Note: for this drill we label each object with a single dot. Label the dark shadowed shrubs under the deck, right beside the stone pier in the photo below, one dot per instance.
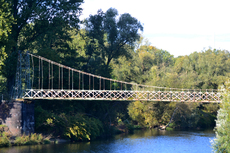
(79, 120)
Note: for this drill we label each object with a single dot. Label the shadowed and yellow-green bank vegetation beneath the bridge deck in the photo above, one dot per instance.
(79, 121)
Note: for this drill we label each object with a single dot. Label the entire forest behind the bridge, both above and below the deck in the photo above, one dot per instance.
(110, 45)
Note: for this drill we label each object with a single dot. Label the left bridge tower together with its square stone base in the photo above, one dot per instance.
(18, 114)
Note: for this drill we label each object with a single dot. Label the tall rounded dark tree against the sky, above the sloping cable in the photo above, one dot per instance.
(111, 36)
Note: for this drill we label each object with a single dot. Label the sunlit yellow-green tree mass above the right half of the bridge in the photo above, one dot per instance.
(152, 66)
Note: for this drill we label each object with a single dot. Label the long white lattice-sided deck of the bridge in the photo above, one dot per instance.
(124, 95)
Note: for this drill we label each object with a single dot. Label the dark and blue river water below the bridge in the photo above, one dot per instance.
(142, 141)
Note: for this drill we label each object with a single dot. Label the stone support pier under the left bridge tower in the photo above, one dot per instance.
(18, 116)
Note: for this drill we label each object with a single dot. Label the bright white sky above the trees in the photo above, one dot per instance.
(177, 26)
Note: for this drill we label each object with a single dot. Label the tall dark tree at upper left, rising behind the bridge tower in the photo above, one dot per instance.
(40, 26)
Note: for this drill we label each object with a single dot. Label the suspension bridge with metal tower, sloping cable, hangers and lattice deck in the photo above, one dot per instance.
(40, 78)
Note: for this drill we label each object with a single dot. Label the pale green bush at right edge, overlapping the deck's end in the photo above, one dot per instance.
(222, 141)
